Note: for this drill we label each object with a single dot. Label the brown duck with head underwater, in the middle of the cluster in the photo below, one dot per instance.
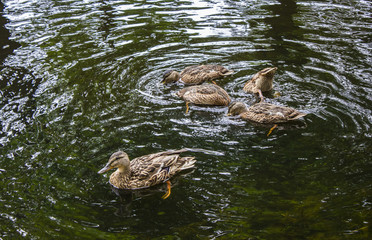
(206, 94)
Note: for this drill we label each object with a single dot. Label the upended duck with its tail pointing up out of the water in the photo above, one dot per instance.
(261, 82)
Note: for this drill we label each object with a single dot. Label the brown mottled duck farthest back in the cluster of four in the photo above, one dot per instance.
(196, 74)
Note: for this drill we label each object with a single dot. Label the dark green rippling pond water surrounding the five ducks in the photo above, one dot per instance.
(80, 80)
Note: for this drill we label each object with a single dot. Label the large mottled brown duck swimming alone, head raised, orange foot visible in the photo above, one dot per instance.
(148, 170)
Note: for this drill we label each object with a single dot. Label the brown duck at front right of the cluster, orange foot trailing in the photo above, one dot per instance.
(264, 113)
